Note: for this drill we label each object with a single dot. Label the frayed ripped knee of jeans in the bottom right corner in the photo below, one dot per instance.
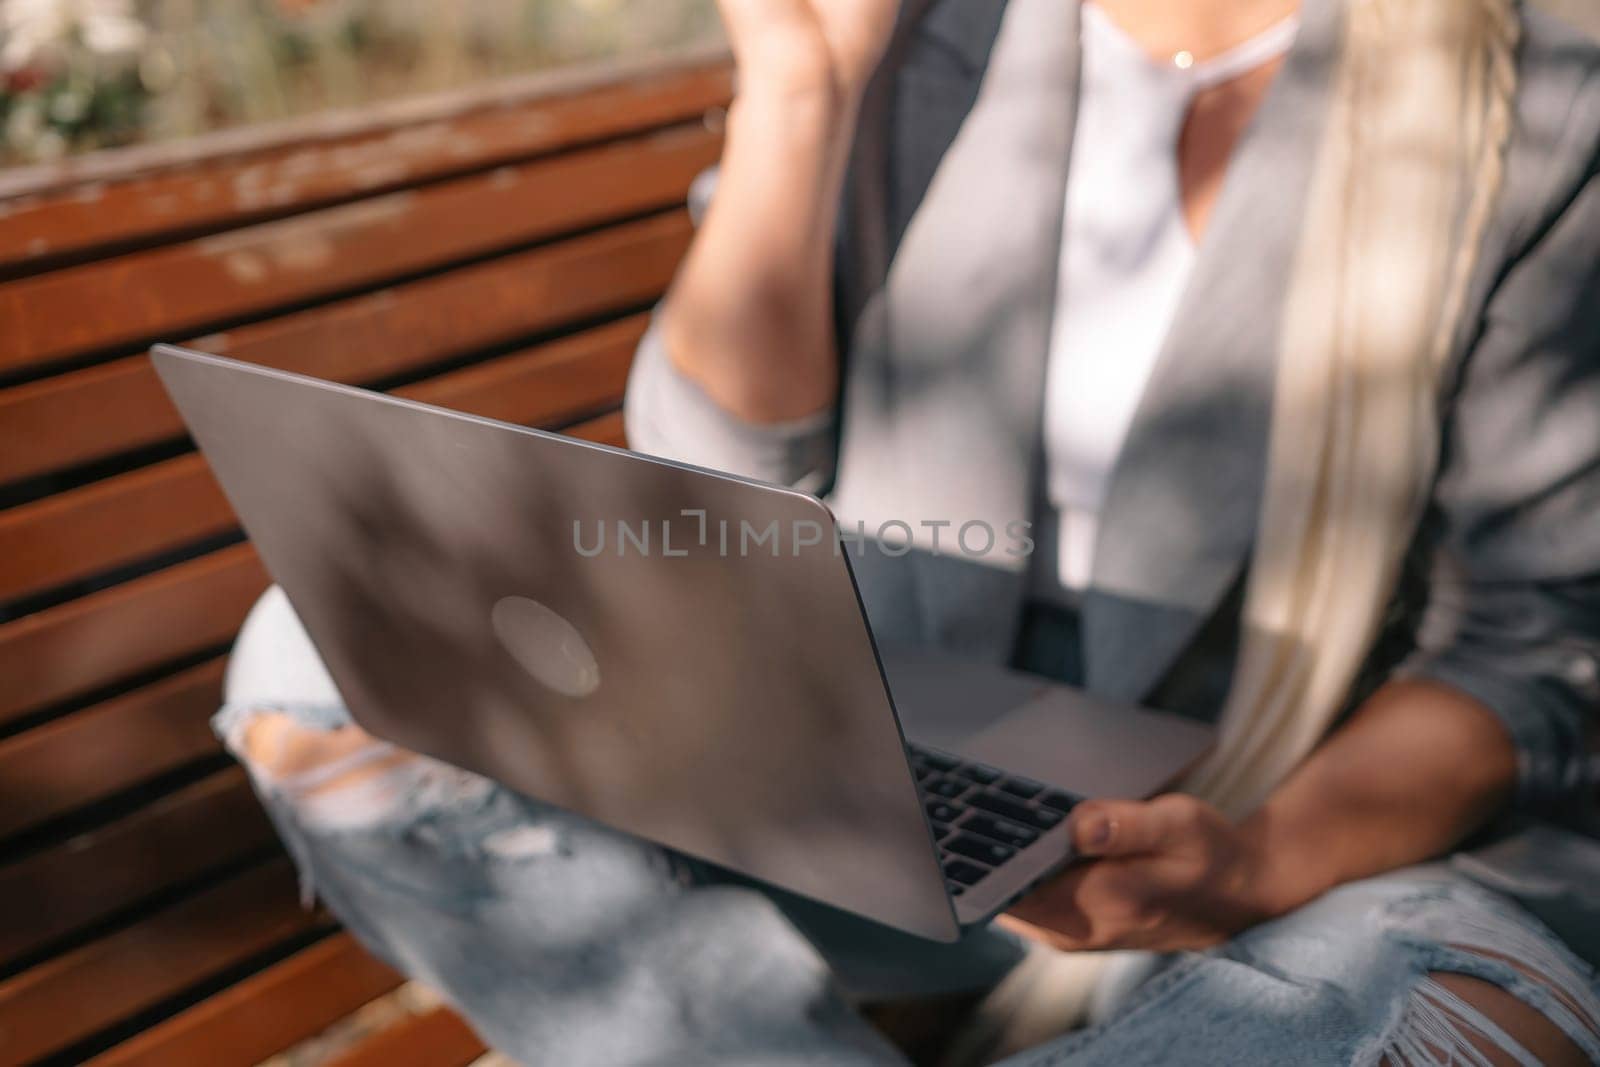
(1473, 940)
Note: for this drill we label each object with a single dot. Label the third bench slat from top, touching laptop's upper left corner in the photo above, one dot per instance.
(103, 410)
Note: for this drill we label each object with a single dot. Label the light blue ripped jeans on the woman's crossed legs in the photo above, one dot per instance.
(566, 943)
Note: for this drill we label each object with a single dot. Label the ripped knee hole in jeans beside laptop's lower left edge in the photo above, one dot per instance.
(338, 777)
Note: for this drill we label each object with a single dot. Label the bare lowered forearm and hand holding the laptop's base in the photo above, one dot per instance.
(1414, 772)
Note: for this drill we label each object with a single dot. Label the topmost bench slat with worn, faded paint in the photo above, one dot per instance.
(308, 172)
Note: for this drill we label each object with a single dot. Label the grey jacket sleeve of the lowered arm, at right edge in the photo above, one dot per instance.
(1513, 617)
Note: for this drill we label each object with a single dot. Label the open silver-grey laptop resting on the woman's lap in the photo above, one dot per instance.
(671, 652)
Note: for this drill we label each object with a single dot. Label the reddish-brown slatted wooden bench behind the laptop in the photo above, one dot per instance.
(494, 252)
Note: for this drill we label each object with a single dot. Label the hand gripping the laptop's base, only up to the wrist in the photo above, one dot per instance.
(1166, 874)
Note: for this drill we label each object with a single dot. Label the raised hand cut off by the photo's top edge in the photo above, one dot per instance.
(809, 46)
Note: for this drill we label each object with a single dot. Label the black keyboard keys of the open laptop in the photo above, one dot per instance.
(983, 817)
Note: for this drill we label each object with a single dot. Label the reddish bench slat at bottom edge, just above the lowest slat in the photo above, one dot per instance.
(266, 1013)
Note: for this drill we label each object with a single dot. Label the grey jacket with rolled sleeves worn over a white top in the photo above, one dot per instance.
(1508, 607)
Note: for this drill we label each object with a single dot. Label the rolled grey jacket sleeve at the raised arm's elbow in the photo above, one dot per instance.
(671, 417)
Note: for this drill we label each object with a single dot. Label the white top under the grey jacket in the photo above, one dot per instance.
(1126, 260)
